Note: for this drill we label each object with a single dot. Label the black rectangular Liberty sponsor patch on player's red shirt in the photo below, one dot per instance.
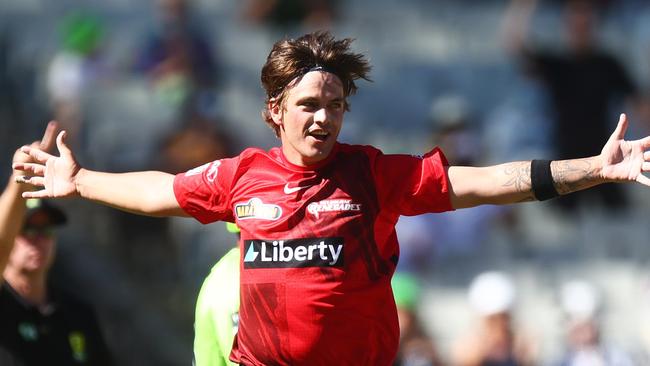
(294, 253)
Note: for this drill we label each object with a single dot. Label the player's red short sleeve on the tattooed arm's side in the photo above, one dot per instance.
(412, 185)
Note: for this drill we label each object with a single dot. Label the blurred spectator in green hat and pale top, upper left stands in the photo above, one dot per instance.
(74, 68)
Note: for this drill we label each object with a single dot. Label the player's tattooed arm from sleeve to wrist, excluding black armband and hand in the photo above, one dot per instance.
(511, 182)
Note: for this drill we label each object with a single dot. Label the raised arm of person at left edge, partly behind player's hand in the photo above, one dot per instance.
(12, 204)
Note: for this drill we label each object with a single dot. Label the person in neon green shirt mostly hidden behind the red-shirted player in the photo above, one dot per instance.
(217, 311)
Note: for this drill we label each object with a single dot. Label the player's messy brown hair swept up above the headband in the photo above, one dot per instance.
(290, 59)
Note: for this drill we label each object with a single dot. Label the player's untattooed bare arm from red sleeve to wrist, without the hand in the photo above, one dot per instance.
(146, 193)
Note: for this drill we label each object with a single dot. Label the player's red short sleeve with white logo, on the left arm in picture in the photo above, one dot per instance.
(204, 192)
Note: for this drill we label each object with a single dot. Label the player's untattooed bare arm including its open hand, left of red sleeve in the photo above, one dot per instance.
(147, 193)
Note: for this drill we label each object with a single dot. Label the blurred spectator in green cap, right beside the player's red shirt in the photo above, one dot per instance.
(416, 348)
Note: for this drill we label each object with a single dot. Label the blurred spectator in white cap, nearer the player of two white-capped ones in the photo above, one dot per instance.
(494, 341)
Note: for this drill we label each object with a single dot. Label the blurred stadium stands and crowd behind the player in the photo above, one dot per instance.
(171, 84)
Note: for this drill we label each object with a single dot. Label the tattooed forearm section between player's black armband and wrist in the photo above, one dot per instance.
(573, 175)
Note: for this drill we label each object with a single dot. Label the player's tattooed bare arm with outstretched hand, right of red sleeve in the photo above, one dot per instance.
(619, 161)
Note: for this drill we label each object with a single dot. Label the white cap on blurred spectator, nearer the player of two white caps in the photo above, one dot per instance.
(492, 293)
